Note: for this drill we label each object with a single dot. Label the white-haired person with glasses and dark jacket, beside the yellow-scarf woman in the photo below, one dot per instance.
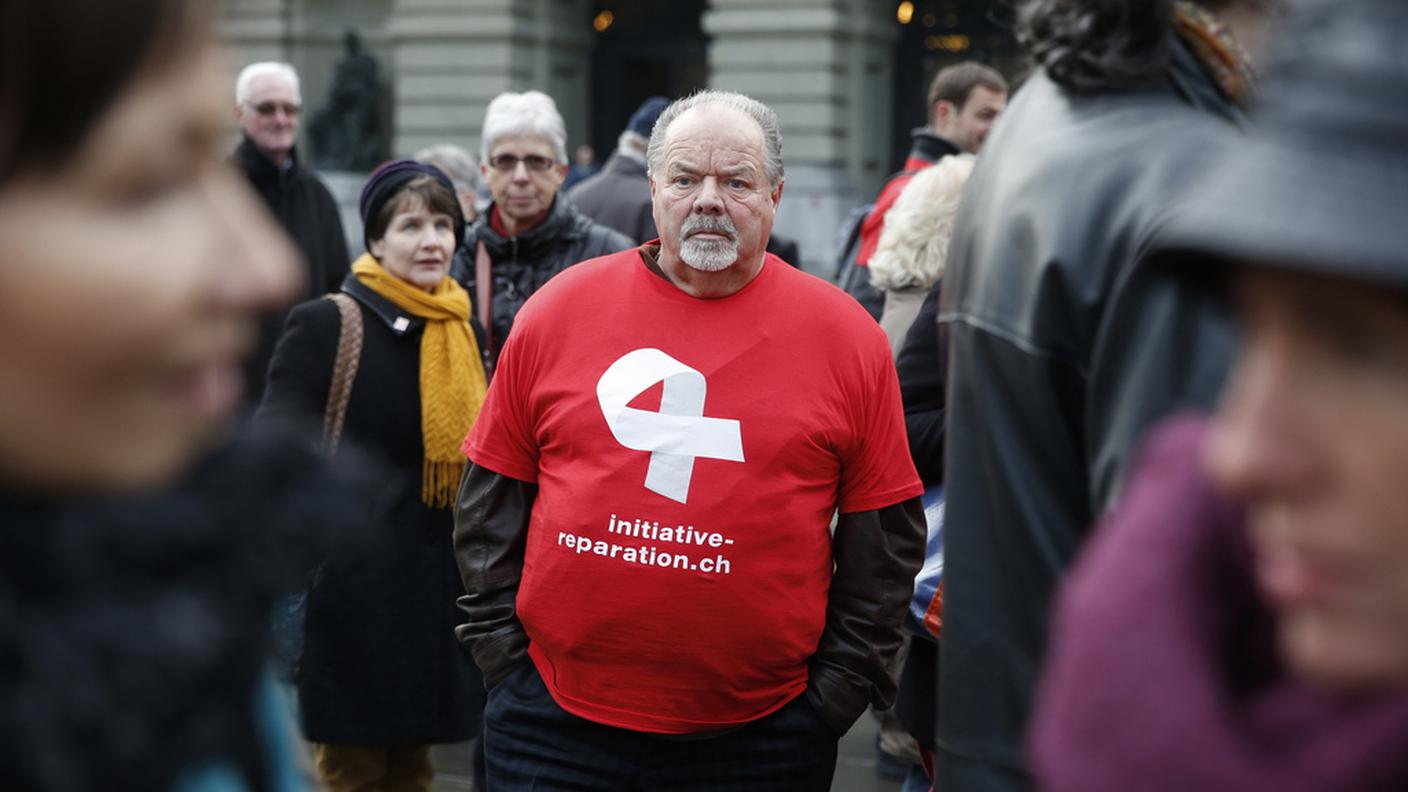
(527, 236)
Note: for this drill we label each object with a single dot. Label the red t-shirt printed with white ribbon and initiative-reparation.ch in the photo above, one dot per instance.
(689, 456)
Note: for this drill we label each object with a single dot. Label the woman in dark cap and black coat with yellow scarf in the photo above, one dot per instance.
(382, 676)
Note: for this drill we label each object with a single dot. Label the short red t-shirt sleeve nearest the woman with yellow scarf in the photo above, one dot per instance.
(505, 439)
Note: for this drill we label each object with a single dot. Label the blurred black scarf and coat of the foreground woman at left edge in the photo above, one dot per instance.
(137, 626)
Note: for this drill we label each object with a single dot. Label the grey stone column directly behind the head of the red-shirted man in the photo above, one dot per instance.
(826, 68)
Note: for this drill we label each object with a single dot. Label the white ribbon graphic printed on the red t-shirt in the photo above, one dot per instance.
(679, 433)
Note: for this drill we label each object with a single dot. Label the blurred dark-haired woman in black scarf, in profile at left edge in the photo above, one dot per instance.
(140, 552)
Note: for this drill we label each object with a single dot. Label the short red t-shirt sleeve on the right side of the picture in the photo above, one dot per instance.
(876, 469)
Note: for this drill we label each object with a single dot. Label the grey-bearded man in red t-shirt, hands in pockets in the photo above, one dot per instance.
(654, 590)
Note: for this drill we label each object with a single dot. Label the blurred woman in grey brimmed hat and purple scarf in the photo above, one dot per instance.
(1241, 622)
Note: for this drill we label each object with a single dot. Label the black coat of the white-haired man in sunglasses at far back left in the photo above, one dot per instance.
(309, 214)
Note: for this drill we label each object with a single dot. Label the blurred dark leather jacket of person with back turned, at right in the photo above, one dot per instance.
(1064, 350)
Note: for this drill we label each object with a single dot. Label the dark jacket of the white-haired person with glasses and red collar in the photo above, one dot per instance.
(523, 264)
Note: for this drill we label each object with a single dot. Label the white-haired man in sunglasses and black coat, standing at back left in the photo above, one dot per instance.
(268, 108)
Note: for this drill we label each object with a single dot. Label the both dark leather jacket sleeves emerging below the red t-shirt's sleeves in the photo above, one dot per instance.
(876, 553)
